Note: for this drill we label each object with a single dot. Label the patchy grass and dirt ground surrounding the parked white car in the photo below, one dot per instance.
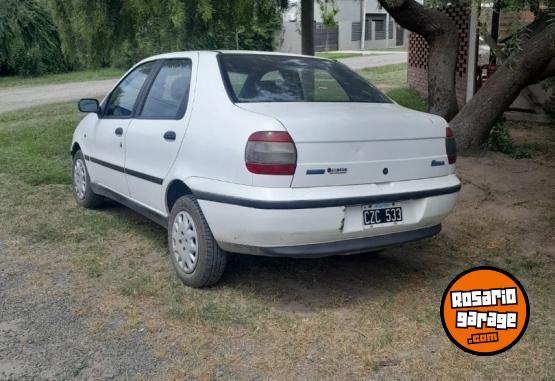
(370, 316)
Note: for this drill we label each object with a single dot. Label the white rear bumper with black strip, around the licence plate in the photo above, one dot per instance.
(302, 222)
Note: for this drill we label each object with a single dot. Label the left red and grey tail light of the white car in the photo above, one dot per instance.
(271, 153)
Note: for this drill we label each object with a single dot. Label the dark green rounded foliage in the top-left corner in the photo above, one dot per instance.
(29, 42)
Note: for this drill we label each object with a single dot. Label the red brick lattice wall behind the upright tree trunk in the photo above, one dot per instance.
(417, 68)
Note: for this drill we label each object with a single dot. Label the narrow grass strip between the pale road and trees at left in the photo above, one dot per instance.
(74, 76)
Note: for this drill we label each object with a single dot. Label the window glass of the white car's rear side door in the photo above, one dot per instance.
(167, 97)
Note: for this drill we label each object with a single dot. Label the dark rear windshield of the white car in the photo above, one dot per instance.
(273, 78)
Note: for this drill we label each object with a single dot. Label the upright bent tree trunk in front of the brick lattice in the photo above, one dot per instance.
(442, 36)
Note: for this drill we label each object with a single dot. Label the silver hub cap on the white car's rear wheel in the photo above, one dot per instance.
(184, 242)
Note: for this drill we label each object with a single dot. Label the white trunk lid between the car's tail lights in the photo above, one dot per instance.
(360, 143)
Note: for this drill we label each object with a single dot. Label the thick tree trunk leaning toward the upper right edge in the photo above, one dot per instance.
(532, 63)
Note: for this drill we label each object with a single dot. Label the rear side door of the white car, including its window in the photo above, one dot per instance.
(154, 137)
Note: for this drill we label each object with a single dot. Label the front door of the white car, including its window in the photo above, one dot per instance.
(107, 156)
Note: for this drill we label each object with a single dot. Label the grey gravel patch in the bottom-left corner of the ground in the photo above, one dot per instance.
(45, 335)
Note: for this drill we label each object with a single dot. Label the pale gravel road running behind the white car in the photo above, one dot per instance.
(15, 98)
